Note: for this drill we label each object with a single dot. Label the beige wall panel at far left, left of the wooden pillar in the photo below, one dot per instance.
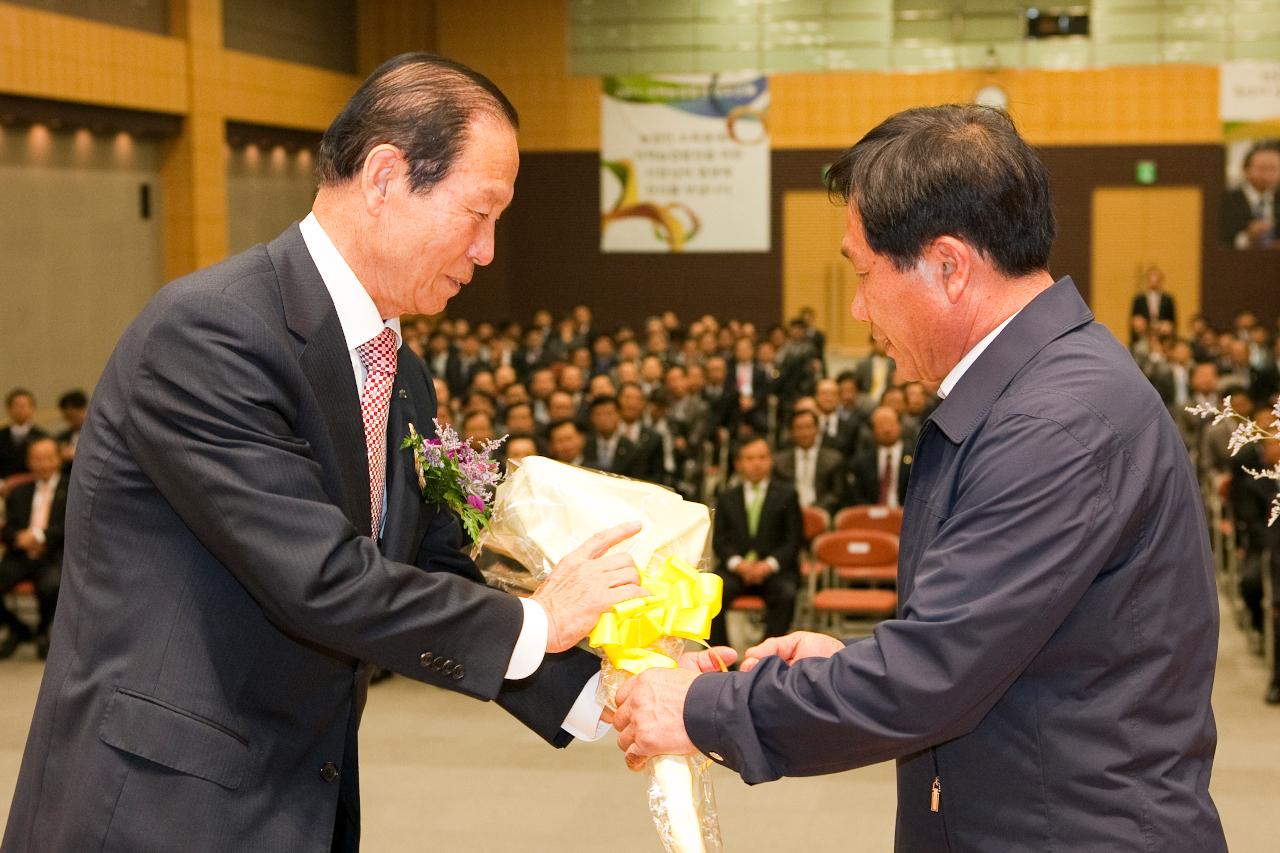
(77, 259)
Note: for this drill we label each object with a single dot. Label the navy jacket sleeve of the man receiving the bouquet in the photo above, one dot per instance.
(1031, 528)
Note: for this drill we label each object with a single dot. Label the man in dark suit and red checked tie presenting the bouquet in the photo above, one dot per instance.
(244, 530)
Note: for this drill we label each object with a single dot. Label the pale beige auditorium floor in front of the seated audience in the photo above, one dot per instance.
(442, 773)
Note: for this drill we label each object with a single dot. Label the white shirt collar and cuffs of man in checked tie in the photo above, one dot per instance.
(362, 323)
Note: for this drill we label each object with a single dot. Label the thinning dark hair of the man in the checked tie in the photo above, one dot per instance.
(420, 103)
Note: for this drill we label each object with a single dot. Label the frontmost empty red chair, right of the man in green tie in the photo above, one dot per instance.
(863, 558)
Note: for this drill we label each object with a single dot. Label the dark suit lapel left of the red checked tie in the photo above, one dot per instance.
(327, 363)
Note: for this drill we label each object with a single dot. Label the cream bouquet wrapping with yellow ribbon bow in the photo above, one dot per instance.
(542, 513)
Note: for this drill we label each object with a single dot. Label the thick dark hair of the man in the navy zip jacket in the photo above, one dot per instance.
(957, 170)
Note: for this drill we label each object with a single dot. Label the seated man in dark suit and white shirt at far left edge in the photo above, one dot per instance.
(34, 544)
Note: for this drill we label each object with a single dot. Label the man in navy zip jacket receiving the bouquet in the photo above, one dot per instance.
(1046, 685)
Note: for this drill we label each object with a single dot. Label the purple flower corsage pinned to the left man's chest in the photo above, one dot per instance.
(452, 472)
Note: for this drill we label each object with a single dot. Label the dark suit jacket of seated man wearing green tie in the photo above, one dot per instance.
(780, 533)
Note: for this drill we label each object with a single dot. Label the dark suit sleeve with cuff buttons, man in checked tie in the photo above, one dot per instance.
(211, 423)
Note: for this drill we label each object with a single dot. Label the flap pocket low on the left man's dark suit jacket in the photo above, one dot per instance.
(179, 740)
